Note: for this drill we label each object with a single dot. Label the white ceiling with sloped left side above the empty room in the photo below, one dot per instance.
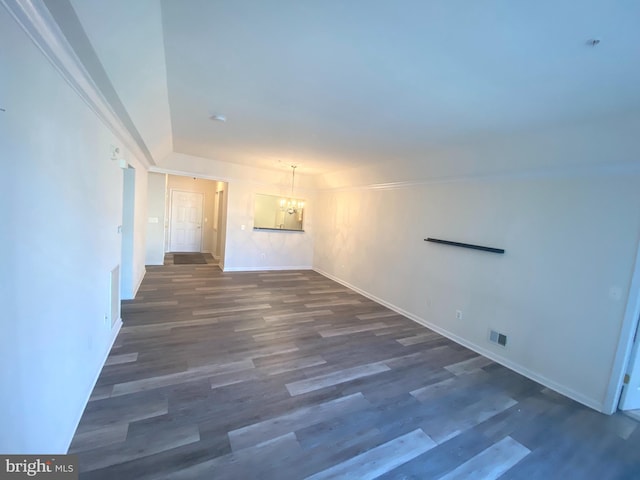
(338, 83)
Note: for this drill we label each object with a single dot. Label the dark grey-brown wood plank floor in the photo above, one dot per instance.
(287, 375)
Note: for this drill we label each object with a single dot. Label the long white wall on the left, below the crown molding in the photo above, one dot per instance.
(63, 197)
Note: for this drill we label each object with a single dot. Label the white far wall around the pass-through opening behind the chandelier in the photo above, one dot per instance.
(246, 249)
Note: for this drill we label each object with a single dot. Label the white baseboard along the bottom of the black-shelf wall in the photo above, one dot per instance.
(577, 396)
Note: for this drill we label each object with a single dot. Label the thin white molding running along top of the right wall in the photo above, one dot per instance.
(553, 172)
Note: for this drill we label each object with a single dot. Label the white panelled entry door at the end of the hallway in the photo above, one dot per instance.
(185, 228)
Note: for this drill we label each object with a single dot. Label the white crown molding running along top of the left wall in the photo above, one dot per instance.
(36, 20)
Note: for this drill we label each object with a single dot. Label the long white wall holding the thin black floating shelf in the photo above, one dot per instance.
(559, 292)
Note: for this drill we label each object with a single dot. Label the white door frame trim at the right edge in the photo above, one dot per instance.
(625, 341)
